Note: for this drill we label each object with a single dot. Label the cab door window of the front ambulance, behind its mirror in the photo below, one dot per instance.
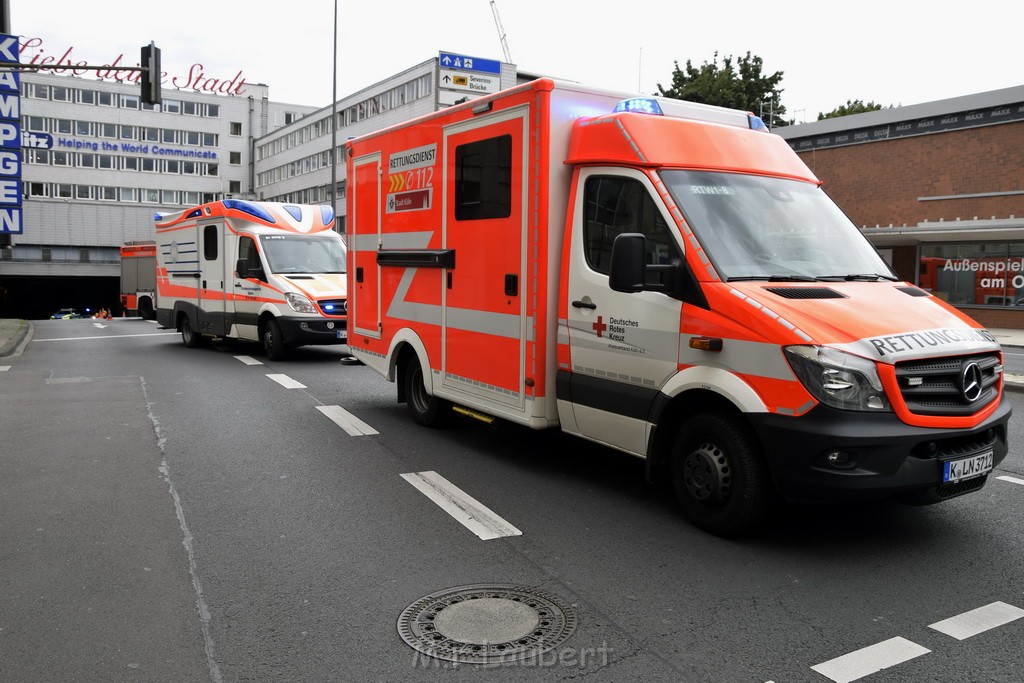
(615, 205)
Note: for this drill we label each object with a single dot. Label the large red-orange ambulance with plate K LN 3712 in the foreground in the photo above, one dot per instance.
(667, 279)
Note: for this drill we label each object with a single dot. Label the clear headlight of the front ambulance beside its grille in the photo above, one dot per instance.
(838, 379)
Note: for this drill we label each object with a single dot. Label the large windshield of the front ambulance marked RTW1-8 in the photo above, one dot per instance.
(756, 228)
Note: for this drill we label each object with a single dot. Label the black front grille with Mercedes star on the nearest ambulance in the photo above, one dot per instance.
(935, 387)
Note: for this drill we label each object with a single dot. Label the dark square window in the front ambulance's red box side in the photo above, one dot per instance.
(484, 180)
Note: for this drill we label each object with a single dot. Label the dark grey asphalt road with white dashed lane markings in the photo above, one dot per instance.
(177, 515)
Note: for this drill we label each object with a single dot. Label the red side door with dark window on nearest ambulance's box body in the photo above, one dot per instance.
(485, 327)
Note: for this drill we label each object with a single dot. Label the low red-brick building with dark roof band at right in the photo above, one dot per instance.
(940, 190)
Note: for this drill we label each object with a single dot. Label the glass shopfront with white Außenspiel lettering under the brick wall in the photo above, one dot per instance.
(974, 275)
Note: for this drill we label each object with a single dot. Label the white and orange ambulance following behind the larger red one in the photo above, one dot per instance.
(252, 271)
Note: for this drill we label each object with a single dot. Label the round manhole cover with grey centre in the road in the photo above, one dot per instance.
(486, 624)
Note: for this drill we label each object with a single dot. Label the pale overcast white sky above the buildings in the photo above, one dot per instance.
(893, 53)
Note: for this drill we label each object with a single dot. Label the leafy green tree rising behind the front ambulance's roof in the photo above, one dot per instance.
(739, 86)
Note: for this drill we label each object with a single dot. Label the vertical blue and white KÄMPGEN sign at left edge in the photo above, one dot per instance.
(11, 138)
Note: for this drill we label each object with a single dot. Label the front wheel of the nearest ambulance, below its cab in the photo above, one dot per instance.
(719, 476)
